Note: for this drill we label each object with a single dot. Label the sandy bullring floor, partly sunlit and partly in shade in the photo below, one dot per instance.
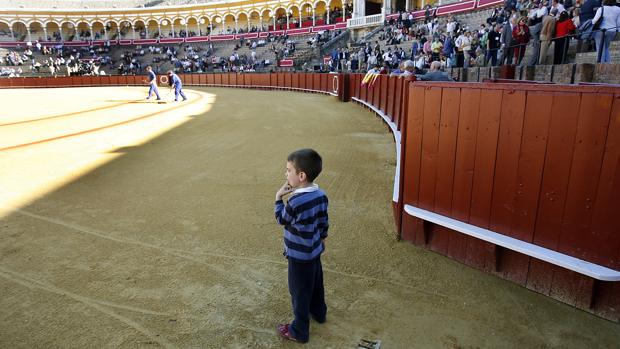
(127, 224)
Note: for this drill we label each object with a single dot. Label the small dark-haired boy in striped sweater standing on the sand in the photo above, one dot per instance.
(305, 222)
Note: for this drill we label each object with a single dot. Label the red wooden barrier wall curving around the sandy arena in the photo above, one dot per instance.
(537, 163)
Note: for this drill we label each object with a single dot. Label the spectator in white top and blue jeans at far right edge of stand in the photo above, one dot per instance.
(609, 14)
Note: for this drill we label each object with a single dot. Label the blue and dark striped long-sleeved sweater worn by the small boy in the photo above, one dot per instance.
(305, 222)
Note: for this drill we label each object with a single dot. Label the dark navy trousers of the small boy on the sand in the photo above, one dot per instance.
(305, 284)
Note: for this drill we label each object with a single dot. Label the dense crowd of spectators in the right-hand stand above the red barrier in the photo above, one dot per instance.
(520, 25)
